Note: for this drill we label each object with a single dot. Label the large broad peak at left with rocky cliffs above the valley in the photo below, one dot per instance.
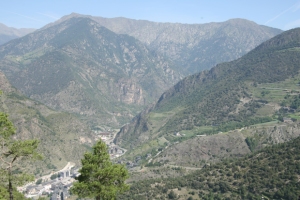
(81, 67)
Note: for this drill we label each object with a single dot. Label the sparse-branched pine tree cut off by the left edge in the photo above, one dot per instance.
(11, 151)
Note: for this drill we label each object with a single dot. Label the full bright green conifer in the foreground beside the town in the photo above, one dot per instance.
(99, 178)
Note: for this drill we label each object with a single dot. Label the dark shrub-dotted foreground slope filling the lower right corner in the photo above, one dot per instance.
(272, 173)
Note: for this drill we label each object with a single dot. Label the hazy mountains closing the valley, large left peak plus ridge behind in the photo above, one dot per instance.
(107, 75)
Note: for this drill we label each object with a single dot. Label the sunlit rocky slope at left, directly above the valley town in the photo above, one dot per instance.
(63, 138)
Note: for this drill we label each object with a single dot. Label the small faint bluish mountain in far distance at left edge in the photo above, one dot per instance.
(9, 33)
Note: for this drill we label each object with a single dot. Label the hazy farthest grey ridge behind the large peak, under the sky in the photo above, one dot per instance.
(195, 47)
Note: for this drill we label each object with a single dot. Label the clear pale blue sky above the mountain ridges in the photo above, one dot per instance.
(283, 14)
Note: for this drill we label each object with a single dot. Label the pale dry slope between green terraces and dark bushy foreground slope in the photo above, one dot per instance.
(199, 150)
